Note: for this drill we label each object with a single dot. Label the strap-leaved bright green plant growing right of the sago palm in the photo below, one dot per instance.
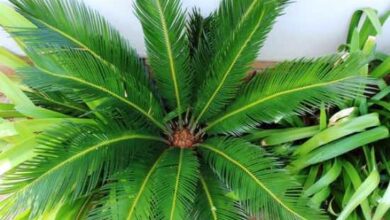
(344, 166)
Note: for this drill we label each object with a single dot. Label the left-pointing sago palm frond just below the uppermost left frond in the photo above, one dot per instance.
(70, 73)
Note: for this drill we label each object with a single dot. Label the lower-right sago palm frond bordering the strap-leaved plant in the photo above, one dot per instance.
(269, 192)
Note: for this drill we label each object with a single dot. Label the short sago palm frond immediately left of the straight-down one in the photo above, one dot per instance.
(130, 193)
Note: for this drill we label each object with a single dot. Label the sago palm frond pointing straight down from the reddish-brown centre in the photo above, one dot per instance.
(176, 181)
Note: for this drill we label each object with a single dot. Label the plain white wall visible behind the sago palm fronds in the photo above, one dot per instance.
(308, 27)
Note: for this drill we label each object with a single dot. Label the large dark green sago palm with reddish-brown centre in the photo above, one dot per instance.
(164, 140)
